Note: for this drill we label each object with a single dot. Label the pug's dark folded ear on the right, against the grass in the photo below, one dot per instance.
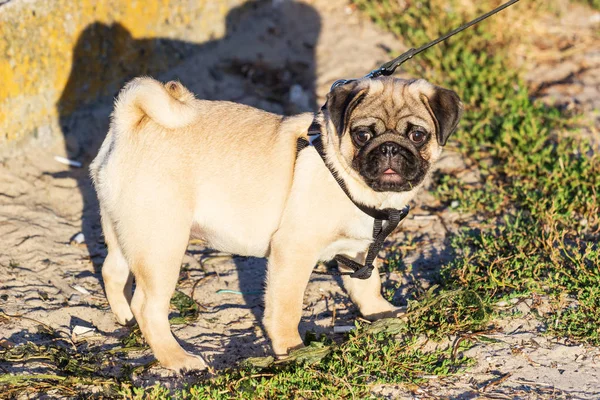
(446, 109)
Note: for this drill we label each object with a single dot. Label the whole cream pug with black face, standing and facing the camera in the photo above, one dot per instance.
(174, 167)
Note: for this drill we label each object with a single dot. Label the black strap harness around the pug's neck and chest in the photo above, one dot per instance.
(380, 232)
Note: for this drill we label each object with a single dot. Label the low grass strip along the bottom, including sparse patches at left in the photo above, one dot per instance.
(373, 355)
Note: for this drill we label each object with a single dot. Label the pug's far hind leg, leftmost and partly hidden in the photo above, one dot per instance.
(117, 276)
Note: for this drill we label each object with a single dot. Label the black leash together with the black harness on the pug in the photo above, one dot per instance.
(392, 216)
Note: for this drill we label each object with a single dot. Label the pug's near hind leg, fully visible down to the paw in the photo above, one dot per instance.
(155, 254)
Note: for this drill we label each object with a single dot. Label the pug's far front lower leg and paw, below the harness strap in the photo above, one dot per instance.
(366, 294)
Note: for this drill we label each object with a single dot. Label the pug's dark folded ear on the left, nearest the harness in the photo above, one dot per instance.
(342, 100)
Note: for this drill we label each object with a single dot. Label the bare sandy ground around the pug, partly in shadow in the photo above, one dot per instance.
(46, 276)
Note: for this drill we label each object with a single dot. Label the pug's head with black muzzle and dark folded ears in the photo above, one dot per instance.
(390, 131)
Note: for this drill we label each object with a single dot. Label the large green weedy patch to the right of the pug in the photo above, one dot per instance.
(537, 192)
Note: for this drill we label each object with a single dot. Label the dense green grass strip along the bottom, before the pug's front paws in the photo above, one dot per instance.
(370, 357)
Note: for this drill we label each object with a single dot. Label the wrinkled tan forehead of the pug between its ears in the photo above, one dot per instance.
(394, 104)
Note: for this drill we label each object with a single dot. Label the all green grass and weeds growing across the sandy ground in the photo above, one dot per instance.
(534, 232)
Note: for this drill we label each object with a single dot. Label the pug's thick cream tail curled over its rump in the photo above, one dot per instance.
(169, 105)
